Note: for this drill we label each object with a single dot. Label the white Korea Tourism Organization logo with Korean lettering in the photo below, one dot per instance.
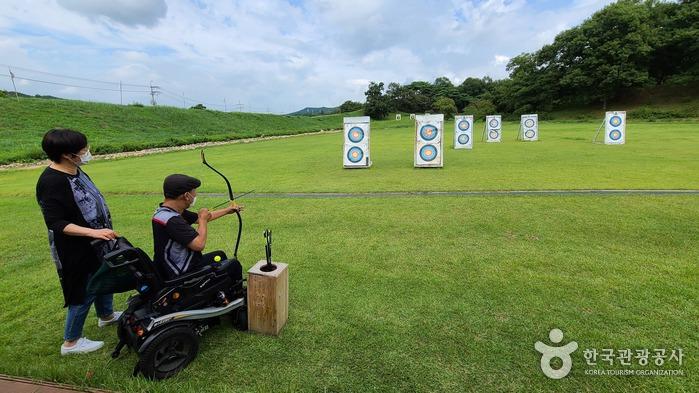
(633, 362)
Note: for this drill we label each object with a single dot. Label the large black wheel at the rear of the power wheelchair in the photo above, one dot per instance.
(169, 353)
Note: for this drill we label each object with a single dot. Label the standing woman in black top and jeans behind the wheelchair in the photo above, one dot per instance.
(75, 214)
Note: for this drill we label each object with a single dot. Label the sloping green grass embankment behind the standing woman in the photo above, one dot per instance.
(115, 128)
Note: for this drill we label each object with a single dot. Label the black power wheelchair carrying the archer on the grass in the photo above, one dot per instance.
(163, 321)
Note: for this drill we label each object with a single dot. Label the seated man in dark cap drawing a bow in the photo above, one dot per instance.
(177, 244)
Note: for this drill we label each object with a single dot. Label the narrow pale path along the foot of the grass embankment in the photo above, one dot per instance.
(138, 153)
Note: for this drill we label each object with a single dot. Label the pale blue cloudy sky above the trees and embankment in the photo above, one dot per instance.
(266, 55)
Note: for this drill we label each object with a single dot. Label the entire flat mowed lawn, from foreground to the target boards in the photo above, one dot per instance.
(405, 293)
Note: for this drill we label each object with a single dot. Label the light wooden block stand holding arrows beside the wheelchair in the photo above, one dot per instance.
(268, 298)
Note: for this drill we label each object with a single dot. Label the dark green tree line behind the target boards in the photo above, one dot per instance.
(628, 44)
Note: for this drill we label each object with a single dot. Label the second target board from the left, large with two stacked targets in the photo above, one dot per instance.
(429, 140)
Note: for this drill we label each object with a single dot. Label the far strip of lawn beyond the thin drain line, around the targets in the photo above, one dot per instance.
(657, 155)
